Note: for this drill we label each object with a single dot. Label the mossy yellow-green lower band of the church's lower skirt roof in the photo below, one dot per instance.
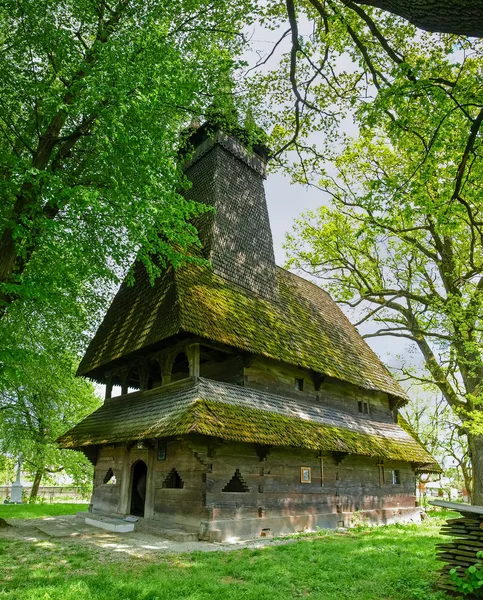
(251, 425)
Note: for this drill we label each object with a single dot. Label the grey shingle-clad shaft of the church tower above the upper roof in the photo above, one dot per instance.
(236, 237)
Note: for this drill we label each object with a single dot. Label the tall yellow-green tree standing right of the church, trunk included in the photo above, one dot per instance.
(398, 242)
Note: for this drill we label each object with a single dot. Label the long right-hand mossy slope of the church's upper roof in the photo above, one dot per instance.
(304, 327)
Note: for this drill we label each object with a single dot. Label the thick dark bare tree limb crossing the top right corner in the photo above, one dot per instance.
(462, 17)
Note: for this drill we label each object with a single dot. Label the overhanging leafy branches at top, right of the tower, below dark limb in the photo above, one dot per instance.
(337, 60)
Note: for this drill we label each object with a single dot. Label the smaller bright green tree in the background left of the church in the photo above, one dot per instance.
(45, 400)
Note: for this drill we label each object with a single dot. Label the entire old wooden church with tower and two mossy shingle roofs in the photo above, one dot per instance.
(250, 405)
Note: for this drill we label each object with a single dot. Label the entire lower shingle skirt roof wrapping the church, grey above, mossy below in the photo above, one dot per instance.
(243, 414)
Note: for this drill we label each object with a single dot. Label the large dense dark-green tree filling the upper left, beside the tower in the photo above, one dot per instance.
(94, 95)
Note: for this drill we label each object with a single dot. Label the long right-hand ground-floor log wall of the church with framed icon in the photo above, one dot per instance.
(275, 486)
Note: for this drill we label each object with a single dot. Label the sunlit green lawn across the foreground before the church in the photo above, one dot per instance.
(386, 563)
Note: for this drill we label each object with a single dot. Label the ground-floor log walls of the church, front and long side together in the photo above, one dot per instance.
(275, 496)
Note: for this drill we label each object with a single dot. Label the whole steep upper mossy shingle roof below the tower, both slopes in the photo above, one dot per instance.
(303, 327)
